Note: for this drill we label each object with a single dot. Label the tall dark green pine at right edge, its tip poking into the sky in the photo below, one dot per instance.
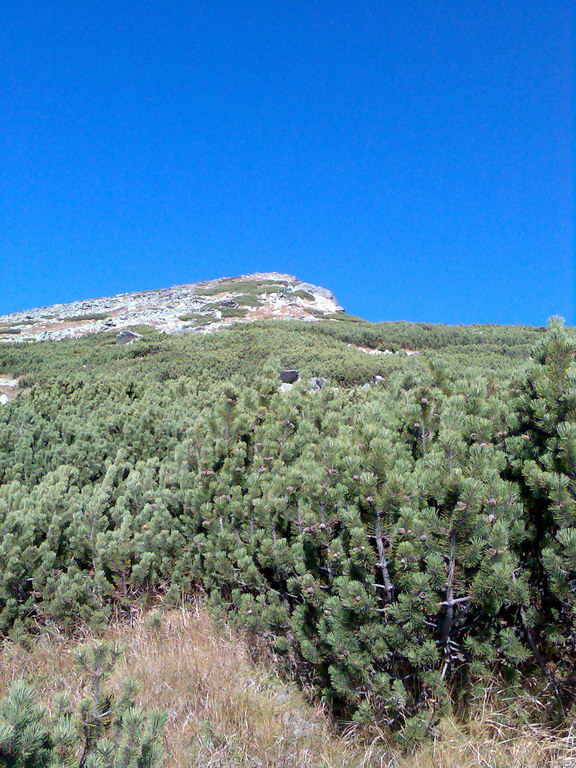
(542, 452)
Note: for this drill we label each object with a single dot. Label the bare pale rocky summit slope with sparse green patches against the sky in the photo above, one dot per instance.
(192, 308)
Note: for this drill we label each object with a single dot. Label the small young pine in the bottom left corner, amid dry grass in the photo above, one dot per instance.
(104, 732)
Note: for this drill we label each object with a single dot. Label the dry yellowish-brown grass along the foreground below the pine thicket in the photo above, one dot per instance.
(227, 712)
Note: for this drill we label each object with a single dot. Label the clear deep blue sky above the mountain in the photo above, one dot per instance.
(414, 156)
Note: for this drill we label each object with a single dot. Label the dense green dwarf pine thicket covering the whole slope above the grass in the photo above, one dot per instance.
(400, 545)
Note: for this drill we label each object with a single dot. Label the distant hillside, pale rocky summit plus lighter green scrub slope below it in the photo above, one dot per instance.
(262, 319)
